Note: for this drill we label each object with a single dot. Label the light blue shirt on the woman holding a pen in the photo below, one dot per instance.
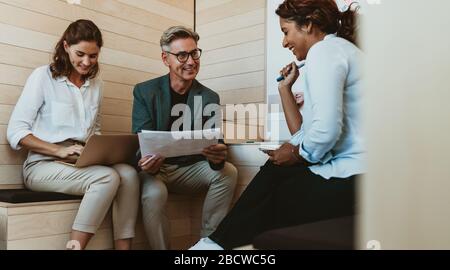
(331, 131)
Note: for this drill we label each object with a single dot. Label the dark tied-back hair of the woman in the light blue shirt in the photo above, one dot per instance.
(325, 14)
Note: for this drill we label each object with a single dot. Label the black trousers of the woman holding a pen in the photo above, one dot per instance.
(281, 197)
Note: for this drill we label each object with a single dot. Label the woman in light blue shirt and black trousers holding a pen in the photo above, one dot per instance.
(312, 177)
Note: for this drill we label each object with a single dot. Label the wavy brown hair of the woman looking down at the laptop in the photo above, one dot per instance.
(80, 30)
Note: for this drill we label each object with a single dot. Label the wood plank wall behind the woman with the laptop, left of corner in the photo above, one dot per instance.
(131, 29)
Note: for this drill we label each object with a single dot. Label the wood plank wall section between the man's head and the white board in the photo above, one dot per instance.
(232, 36)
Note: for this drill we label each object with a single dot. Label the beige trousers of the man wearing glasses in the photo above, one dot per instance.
(199, 177)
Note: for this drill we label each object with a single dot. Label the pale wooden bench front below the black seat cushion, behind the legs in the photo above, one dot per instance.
(47, 225)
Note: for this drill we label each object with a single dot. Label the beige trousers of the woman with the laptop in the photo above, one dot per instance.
(101, 186)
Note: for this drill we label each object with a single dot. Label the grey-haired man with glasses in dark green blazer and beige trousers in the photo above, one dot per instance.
(152, 110)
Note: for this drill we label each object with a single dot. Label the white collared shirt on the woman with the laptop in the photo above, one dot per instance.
(55, 110)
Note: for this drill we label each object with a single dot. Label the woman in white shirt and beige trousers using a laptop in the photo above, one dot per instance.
(58, 110)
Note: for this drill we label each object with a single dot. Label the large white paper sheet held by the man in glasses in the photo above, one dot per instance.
(176, 143)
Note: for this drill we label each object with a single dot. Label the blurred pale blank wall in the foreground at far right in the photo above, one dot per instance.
(406, 195)
